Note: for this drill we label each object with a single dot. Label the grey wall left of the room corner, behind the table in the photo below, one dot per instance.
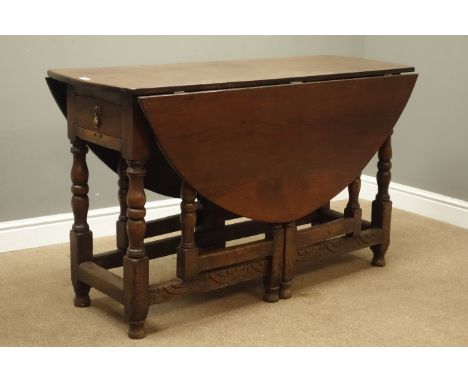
(34, 151)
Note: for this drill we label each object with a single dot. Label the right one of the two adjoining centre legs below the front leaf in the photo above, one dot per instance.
(289, 260)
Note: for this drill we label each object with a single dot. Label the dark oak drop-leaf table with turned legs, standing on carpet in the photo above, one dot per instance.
(271, 140)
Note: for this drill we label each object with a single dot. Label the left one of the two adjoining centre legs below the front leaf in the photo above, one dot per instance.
(273, 279)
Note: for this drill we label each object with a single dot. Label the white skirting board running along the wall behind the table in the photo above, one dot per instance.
(54, 229)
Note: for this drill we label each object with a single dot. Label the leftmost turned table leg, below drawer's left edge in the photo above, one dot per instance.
(81, 238)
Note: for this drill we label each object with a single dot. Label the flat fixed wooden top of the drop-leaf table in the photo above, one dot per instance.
(168, 78)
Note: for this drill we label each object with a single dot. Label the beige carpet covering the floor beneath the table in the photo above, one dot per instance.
(419, 299)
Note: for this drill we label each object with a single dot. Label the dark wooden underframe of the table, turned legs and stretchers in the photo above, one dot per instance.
(205, 260)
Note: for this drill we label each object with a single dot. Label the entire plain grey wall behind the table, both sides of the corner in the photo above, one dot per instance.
(429, 141)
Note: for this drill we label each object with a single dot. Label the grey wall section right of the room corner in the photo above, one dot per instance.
(430, 141)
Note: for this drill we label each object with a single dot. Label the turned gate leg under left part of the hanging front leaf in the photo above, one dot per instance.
(187, 253)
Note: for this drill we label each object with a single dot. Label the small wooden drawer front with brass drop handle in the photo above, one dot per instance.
(98, 121)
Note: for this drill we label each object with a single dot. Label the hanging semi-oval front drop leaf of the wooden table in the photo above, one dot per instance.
(277, 153)
